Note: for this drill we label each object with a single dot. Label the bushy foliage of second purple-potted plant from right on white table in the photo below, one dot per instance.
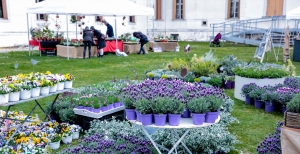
(198, 105)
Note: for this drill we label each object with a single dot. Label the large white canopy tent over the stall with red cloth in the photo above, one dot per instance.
(89, 7)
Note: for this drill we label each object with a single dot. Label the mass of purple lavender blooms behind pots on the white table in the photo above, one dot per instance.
(176, 89)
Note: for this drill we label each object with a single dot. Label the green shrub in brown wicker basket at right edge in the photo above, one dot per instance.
(292, 115)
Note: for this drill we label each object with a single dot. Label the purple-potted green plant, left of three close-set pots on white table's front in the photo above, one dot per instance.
(143, 105)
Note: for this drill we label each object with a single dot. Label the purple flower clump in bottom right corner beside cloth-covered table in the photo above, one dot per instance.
(271, 143)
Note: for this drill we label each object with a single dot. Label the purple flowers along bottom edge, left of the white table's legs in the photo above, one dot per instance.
(121, 144)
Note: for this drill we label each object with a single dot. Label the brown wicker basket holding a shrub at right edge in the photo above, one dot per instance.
(292, 119)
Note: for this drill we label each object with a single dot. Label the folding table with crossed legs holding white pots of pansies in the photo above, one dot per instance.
(10, 104)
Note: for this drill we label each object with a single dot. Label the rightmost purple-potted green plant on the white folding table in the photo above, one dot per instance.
(215, 104)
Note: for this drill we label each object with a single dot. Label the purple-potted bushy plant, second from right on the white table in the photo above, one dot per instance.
(199, 107)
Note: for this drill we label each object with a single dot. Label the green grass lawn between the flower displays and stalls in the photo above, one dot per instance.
(253, 124)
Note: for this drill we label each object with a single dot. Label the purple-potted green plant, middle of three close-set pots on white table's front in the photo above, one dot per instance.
(160, 110)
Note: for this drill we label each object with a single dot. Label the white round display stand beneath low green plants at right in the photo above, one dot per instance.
(241, 81)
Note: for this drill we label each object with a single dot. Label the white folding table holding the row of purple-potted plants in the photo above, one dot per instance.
(186, 123)
